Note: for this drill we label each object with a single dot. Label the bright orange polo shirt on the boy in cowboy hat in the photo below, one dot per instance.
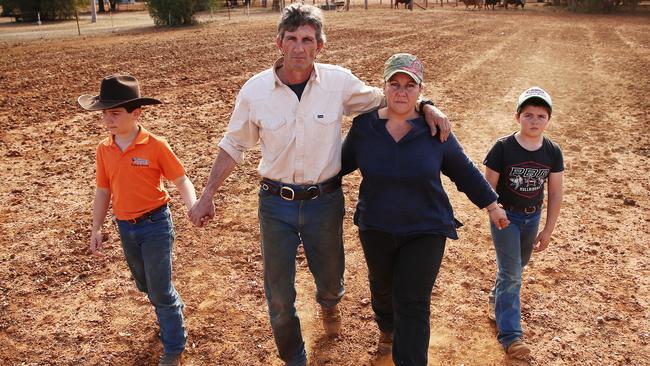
(134, 177)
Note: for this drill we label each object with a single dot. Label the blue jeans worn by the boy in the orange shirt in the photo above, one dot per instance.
(147, 248)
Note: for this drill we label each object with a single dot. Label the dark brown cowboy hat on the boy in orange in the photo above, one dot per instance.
(115, 91)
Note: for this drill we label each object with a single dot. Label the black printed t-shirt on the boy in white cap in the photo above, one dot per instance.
(522, 173)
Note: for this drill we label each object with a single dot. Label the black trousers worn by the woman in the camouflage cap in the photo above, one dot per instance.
(401, 272)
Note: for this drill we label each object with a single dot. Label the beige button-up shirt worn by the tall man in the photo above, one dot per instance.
(300, 140)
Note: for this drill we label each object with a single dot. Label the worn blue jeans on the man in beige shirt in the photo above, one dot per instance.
(318, 224)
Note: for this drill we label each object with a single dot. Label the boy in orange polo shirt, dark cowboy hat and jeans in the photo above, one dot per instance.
(130, 165)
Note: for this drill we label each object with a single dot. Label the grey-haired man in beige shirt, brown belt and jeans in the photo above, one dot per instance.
(295, 110)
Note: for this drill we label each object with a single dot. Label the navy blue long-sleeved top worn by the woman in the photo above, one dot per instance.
(401, 192)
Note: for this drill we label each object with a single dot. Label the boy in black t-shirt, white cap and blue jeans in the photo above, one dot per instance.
(517, 167)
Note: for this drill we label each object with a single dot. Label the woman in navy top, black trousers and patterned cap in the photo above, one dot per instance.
(403, 213)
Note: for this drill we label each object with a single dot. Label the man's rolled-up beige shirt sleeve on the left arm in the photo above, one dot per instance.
(242, 133)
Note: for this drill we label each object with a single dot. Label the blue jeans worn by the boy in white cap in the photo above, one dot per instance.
(514, 247)
